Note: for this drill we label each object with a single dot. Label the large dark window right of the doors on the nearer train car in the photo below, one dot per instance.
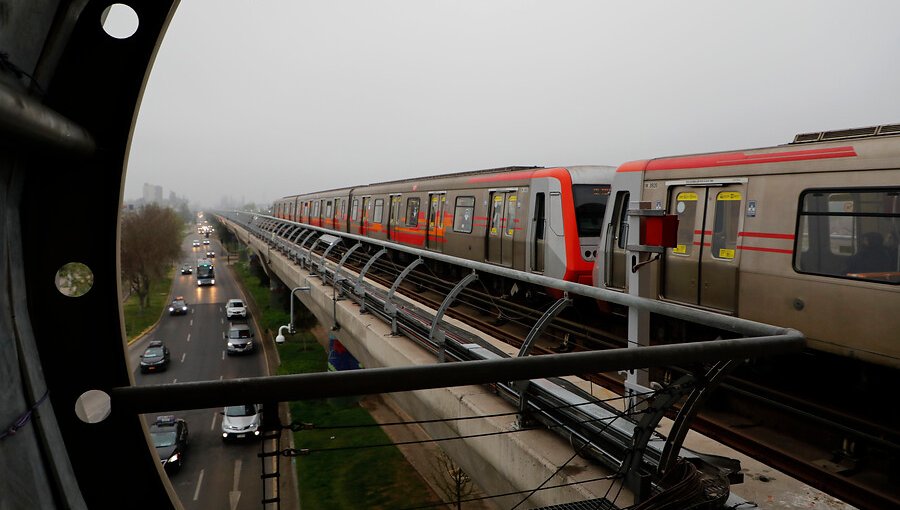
(850, 234)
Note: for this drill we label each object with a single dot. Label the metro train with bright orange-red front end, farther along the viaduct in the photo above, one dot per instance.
(542, 220)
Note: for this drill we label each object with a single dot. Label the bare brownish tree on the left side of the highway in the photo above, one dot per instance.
(151, 241)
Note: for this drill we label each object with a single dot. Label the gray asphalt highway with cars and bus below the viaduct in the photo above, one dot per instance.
(215, 474)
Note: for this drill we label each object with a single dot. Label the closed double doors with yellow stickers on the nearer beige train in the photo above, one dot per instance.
(702, 269)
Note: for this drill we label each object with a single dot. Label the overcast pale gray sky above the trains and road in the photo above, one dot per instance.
(261, 99)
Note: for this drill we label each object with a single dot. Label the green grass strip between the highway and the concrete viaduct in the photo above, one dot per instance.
(368, 477)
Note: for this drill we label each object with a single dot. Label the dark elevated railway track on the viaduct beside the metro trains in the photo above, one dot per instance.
(745, 415)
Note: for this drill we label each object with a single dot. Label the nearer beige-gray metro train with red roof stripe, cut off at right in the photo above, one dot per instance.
(803, 235)
